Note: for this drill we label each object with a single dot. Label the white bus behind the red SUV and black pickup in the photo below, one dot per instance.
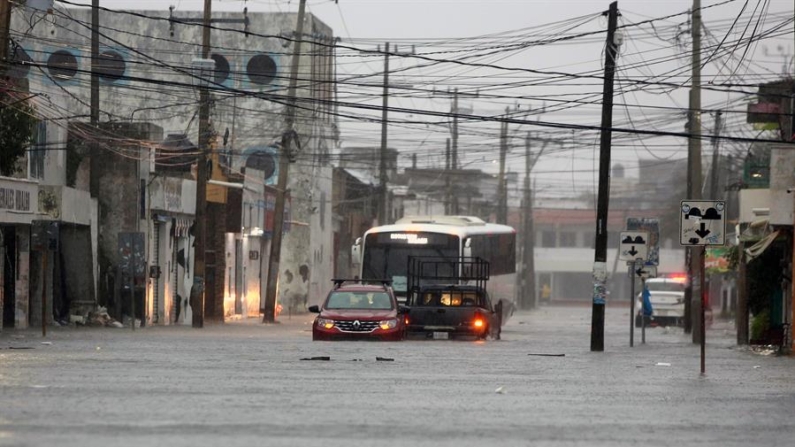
(384, 251)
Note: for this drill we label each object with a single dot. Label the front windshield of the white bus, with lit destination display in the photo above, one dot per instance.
(386, 255)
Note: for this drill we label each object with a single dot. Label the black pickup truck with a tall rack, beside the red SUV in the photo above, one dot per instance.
(450, 306)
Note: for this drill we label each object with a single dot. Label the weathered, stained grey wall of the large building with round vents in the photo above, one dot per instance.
(252, 119)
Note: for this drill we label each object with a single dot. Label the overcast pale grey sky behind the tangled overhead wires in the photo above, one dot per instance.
(449, 30)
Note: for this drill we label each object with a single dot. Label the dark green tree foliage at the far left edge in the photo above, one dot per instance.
(17, 125)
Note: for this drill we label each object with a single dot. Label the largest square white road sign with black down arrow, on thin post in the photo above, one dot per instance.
(702, 222)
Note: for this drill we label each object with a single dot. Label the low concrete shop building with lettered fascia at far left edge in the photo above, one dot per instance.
(48, 234)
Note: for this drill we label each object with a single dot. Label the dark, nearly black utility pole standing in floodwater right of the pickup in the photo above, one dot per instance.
(600, 254)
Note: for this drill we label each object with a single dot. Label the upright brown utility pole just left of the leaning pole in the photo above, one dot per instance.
(200, 227)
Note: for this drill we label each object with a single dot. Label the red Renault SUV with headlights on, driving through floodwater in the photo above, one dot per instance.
(359, 311)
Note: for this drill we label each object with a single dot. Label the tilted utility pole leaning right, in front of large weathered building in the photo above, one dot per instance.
(285, 154)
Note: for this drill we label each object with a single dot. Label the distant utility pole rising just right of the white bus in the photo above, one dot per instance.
(528, 234)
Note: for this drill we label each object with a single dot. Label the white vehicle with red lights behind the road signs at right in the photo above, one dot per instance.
(667, 297)
